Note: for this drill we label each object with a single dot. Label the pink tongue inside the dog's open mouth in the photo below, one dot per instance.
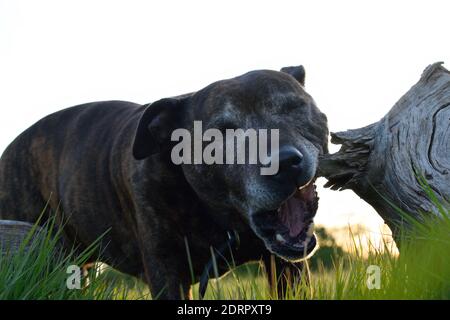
(292, 211)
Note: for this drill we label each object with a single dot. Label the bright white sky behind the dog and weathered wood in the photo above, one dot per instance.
(360, 57)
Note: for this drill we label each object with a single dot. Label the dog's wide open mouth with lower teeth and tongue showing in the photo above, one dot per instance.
(288, 231)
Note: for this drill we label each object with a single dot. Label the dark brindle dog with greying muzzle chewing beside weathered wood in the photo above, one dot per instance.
(108, 167)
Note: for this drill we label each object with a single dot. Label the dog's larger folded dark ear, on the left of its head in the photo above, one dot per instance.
(156, 125)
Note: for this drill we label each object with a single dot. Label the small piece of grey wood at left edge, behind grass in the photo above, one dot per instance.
(12, 234)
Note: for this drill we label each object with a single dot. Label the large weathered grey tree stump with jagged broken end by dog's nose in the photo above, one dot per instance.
(385, 159)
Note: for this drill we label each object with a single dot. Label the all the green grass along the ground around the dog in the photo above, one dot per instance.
(421, 271)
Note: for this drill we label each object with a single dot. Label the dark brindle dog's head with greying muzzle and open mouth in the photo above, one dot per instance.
(279, 205)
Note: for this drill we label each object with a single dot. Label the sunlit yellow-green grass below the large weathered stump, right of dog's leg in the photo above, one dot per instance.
(420, 271)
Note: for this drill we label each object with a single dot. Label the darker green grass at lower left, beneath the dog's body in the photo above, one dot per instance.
(38, 270)
